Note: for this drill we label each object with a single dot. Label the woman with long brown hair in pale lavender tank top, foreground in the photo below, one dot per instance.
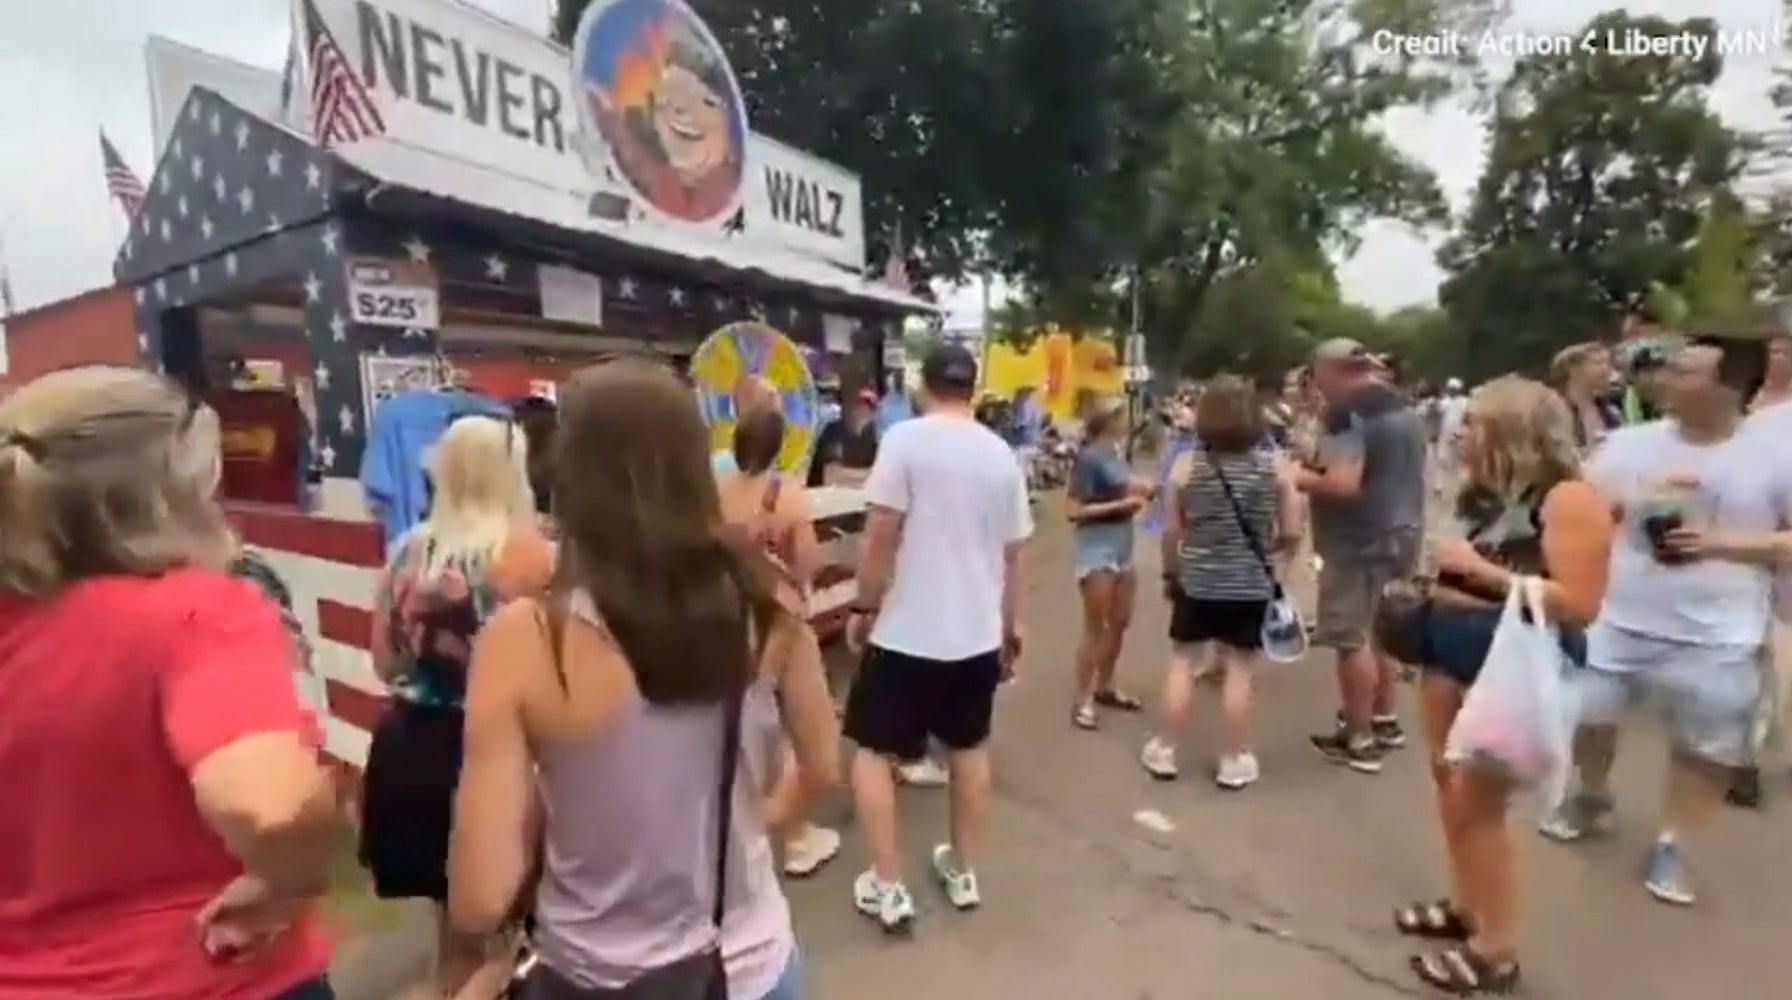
(623, 730)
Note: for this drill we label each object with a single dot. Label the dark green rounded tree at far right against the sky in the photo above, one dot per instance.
(1601, 171)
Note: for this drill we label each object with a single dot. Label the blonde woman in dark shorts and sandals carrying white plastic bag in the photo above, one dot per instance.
(1524, 513)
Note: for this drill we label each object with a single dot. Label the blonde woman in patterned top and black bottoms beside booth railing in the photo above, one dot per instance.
(478, 549)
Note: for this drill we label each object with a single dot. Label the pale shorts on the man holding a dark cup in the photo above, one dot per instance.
(1710, 694)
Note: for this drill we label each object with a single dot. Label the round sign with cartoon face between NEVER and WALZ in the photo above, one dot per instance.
(655, 85)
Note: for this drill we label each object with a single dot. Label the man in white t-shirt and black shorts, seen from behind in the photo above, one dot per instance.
(938, 616)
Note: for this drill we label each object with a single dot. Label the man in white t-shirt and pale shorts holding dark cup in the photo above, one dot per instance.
(1703, 506)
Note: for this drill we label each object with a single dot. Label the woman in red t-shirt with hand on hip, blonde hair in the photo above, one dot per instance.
(117, 612)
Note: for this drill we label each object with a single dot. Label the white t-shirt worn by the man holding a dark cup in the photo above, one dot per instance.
(1736, 487)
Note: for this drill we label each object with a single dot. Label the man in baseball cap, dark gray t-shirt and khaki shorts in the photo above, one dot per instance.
(1368, 510)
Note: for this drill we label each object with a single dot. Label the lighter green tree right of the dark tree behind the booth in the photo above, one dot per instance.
(1279, 151)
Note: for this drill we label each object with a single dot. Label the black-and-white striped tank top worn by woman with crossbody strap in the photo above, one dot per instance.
(1216, 560)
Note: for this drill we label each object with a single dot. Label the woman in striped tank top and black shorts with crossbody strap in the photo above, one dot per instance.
(1232, 506)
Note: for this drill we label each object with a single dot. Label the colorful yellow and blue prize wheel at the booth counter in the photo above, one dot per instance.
(737, 356)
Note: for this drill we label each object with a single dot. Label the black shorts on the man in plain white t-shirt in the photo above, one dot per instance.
(899, 702)
